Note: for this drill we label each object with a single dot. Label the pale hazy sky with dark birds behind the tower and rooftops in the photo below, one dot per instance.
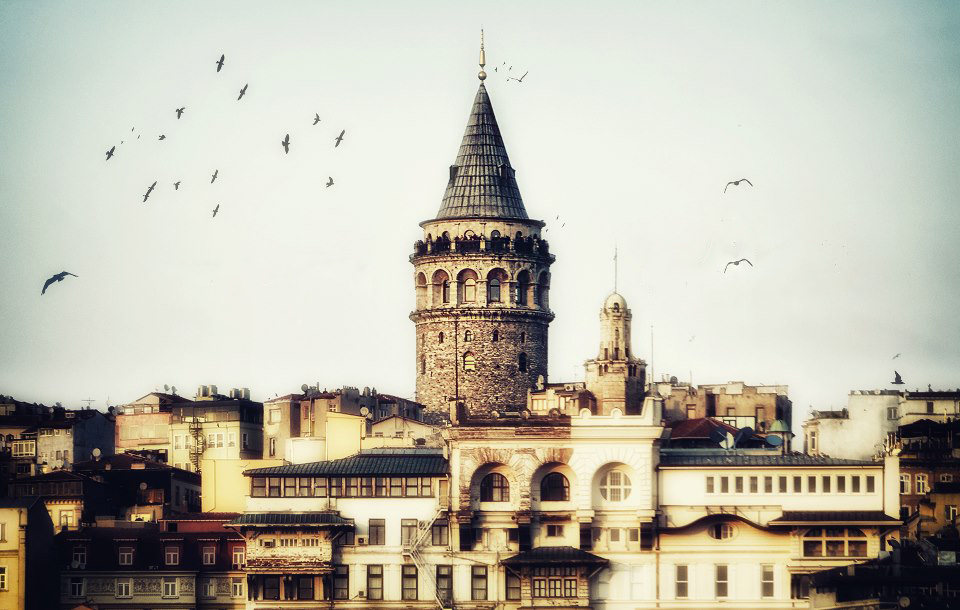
(634, 115)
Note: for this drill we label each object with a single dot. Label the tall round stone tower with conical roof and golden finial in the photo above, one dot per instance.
(482, 278)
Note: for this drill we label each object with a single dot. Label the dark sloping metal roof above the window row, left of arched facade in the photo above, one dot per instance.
(406, 463)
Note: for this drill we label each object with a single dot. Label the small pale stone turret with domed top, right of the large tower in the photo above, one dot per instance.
(616, 377)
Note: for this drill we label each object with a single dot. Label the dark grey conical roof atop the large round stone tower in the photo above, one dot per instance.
(482, 183)
